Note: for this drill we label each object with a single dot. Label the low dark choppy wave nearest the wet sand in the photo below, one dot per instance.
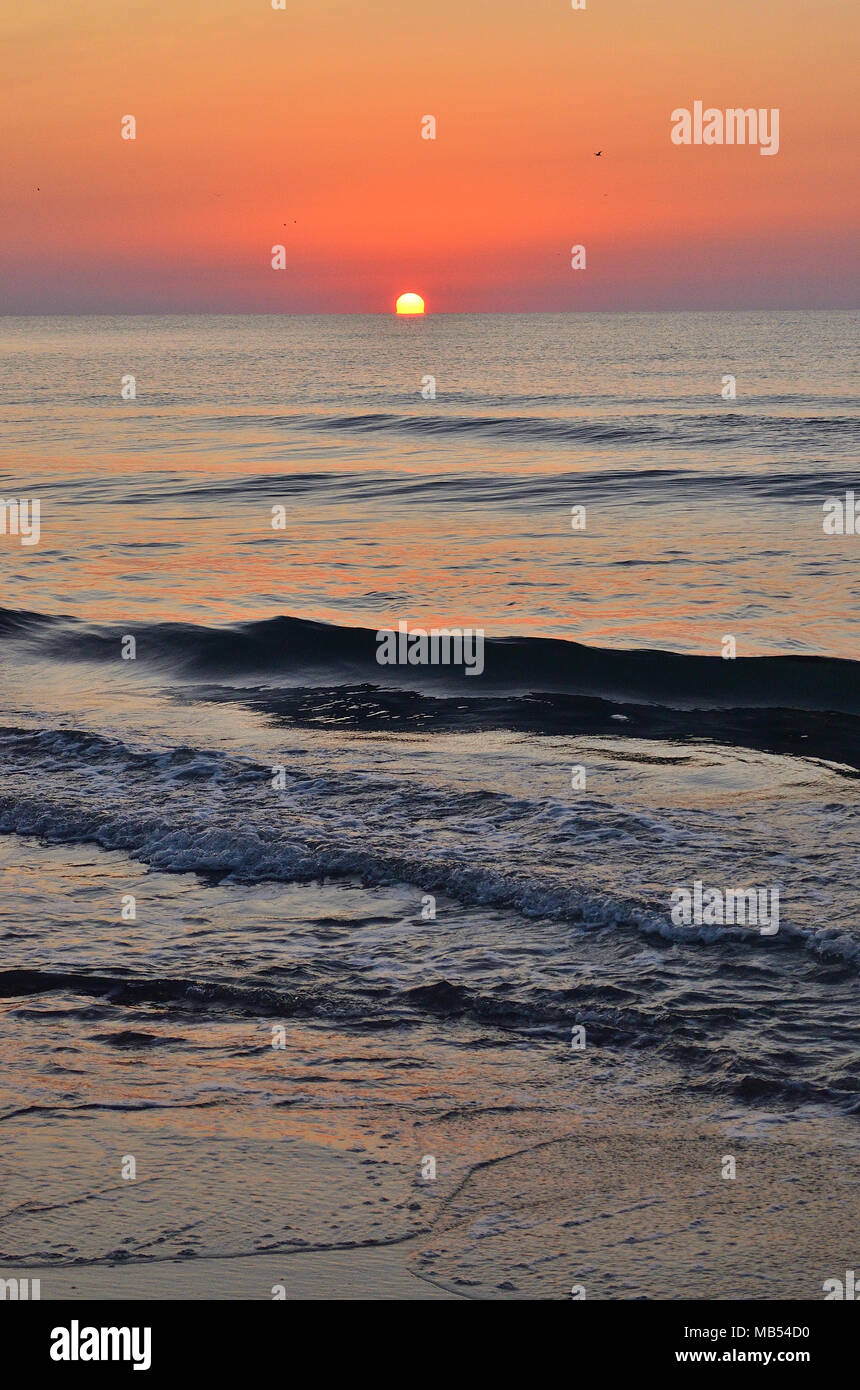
(619, 1027)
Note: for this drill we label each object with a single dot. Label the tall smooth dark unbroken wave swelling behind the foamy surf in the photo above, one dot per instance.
(295, 651)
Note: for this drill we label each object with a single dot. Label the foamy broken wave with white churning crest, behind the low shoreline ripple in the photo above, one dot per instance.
(215, 819)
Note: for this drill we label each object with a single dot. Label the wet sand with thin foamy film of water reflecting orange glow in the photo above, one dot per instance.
(527, 1203)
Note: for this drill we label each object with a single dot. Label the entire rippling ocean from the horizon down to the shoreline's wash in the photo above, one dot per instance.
(283, 924)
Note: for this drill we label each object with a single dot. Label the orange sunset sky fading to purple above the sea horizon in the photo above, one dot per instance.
(251, 119)
